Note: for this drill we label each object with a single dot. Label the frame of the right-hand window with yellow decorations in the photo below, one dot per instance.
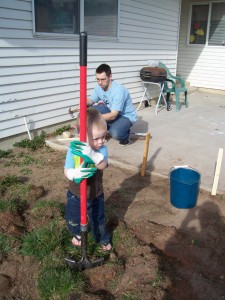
(210, 3)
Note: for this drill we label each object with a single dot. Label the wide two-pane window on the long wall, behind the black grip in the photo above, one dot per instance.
(69, 17)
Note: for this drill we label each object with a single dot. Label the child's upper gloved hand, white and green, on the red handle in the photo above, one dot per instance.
(86, 152)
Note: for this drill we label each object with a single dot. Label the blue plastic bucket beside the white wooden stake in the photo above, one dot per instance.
(184, 187)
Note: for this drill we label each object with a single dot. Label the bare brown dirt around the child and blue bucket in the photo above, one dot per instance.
(177, 254)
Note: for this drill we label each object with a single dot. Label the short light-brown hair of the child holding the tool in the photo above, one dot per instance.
(94, 118)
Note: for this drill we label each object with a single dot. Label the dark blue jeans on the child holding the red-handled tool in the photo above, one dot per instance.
(96, 215)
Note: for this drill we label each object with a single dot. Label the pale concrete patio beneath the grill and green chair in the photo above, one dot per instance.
(191, 137)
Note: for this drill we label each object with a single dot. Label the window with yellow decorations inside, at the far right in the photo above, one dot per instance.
(207, 26)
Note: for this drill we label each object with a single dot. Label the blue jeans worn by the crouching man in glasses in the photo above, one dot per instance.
(118, 128)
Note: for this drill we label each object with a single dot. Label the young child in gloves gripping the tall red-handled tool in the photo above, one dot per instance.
(95, 150)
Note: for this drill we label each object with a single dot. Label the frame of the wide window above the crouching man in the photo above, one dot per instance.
(73, 36)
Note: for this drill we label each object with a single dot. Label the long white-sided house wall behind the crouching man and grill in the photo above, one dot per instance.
(39, 77)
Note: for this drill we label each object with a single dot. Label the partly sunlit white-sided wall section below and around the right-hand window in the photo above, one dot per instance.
(202, 66)
